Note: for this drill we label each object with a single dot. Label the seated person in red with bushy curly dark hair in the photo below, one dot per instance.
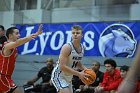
(110, 76)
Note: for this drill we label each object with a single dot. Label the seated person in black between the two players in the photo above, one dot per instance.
(45, 74)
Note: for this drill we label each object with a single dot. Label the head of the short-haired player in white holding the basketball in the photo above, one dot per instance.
(77, 32)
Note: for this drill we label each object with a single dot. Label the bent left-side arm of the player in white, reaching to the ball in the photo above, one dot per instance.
(63, 58)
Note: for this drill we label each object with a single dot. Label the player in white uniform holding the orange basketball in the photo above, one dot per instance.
(70, 57)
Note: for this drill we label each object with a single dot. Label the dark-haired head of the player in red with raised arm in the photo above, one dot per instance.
(12, 33)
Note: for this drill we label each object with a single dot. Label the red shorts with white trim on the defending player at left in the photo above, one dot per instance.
(6, 83)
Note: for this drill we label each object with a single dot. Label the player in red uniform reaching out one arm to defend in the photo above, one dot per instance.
(8, 56)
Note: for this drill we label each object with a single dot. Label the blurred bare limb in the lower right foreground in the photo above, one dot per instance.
(128, 85)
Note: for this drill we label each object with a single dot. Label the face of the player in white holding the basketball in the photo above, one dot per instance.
(76, 34)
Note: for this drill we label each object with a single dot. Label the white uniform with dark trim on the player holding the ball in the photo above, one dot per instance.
(59, 76)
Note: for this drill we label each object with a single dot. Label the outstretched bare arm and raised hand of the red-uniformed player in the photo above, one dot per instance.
(21, 41)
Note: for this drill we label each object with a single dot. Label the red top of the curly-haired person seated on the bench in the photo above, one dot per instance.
(109, 80)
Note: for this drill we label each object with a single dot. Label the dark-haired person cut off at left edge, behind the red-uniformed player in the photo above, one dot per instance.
(2, 36)
